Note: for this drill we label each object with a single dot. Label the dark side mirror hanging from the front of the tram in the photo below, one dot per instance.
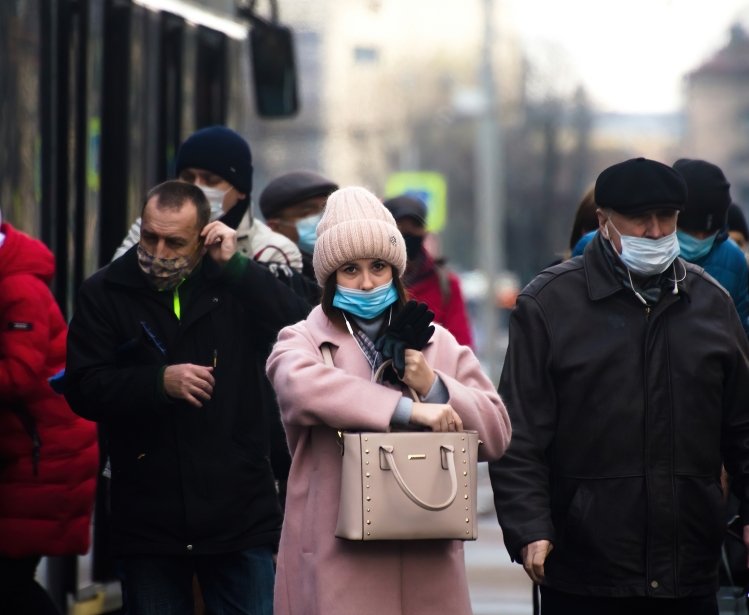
(274, 69)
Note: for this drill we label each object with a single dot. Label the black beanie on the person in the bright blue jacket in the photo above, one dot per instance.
(708, 196)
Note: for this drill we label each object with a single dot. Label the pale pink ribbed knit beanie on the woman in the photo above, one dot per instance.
(356, 225)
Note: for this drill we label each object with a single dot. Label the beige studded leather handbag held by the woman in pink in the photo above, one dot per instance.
(407, 485)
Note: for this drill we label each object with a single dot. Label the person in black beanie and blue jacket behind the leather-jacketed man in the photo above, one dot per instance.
(703, 231)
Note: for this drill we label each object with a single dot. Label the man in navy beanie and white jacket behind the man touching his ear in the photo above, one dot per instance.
(219, 161)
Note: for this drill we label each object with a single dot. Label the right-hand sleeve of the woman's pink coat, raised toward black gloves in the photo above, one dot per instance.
(473, 397)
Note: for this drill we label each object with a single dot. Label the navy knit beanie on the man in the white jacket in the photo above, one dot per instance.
(220, 150)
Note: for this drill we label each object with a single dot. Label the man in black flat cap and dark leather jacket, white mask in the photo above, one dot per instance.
(627, 382)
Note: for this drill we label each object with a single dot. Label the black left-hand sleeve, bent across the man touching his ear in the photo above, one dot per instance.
(96, 387)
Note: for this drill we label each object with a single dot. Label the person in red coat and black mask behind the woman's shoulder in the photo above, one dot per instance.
(427, 280)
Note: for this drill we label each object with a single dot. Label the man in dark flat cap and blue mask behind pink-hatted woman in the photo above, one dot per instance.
(292, 205)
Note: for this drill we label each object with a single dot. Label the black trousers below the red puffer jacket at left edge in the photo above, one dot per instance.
(20, 594)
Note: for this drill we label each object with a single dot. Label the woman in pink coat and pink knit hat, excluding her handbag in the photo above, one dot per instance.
(359, 258)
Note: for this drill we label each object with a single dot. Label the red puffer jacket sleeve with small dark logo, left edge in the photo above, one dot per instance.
(24, 336)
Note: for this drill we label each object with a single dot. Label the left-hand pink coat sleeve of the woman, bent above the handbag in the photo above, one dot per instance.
(312, 393)
